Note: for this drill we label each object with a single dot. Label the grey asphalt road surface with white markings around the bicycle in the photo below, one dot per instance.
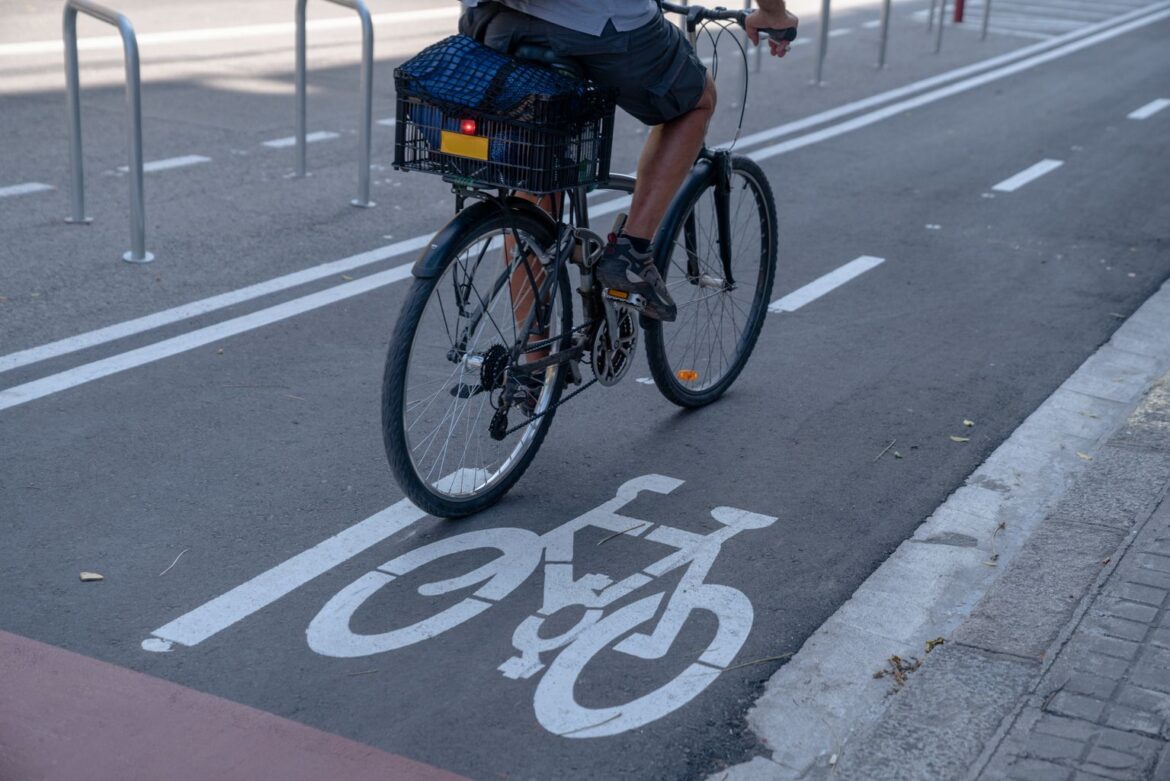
(222, 465)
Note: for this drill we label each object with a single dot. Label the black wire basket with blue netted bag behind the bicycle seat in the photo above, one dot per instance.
(481, 119)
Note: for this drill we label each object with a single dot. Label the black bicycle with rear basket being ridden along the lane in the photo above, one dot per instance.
(479, 340)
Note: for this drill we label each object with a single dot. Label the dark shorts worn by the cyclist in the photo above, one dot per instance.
(655, 71)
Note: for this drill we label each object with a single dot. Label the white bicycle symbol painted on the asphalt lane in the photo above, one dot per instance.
(522, 552)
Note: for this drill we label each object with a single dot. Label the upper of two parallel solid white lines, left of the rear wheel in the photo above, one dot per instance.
(205, 306)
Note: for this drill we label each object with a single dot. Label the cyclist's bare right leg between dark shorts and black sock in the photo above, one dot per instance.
(666, 161)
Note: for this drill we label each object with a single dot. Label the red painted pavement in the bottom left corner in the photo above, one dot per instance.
(65, 716)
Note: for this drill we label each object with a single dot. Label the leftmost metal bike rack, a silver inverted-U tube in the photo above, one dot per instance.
(137, 253)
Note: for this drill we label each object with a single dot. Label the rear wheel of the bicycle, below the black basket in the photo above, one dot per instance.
(451, 360)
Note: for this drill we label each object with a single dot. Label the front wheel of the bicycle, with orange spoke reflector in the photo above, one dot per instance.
(721, 307)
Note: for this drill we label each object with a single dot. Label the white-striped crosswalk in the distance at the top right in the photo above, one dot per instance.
(1038, 19)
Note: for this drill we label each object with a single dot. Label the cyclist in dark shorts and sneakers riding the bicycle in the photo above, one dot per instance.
(630, 47)
